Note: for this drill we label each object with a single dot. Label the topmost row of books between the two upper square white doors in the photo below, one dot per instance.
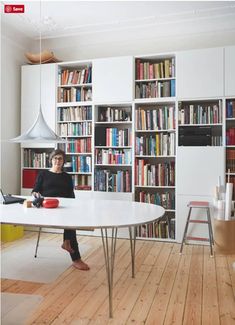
(153, 70)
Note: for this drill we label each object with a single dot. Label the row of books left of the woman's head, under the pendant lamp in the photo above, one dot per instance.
(35, 159)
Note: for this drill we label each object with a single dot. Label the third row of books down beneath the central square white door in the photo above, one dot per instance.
(113, 156)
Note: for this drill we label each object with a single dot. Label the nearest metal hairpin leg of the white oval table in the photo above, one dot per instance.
(109, 256)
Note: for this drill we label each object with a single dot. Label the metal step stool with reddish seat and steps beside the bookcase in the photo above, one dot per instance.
(198, 205)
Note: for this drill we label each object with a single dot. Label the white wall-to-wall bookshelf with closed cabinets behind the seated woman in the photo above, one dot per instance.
(200, 76)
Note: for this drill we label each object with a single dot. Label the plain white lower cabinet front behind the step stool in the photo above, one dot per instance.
(198, 169)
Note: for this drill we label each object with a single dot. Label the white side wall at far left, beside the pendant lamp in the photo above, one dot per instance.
(12, 57)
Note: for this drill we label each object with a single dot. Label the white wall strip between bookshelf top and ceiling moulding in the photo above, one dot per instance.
(98, 45)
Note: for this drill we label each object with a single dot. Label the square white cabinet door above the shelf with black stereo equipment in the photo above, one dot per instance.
(200, 73)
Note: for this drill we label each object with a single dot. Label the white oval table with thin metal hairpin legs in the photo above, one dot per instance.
(90, 214)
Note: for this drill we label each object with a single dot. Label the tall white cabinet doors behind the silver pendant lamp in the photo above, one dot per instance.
(30, 95)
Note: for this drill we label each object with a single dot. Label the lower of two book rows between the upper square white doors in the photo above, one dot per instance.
(156, 89)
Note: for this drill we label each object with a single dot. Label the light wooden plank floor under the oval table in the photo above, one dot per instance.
(169, 288)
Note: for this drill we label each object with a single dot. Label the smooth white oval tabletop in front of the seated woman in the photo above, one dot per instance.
(75, 213)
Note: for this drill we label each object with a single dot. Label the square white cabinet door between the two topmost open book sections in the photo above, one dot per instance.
(113, 80)
